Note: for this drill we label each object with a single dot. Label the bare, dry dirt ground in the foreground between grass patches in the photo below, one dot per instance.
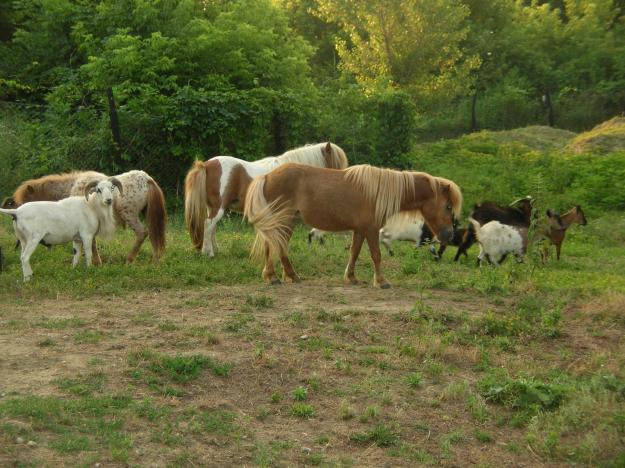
(347, 341)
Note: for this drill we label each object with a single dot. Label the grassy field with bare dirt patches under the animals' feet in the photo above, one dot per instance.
(196, 362)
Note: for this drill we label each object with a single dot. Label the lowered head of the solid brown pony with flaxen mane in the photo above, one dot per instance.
(442, 210)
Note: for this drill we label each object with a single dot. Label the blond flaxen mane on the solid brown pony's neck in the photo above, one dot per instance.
(385, 188)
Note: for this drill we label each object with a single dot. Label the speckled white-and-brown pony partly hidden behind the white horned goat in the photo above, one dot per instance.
(141, 193)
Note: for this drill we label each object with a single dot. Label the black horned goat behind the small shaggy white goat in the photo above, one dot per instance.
(491, 211)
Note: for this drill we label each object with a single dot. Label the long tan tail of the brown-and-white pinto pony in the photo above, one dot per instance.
(196, 203)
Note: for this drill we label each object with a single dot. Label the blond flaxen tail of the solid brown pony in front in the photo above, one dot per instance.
(271, 220)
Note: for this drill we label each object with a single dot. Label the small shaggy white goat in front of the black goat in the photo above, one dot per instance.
(497, 240)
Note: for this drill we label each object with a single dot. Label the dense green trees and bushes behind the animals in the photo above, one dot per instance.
(191, 79)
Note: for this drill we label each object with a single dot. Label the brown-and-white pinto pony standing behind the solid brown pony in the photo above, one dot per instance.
(213, 186)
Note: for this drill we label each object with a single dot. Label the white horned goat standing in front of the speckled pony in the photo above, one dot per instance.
(76, 219)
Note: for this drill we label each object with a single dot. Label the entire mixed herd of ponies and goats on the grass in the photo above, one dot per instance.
(312, 183)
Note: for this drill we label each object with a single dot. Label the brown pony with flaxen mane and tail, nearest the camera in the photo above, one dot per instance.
(358, 199)
